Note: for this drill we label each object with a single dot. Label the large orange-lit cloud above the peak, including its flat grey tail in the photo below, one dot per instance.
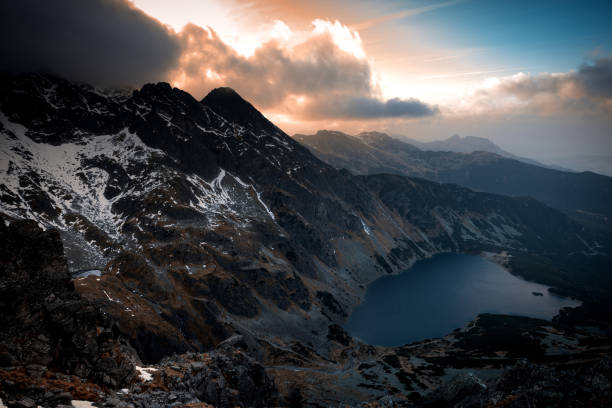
(320, 73)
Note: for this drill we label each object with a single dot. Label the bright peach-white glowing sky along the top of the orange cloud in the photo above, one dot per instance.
(397, 56)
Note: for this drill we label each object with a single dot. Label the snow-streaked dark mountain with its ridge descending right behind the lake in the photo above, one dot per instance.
(203, 219)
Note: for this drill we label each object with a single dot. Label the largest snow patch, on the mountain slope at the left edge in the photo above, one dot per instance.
(62, 174)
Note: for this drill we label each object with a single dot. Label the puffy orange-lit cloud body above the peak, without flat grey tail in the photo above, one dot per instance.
(273, 72)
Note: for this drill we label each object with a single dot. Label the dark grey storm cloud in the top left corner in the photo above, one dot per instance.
(107, 42)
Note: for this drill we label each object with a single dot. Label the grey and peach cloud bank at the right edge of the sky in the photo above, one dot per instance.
(586, 92)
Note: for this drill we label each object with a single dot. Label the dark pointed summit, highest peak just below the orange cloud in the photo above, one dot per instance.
(228, 103)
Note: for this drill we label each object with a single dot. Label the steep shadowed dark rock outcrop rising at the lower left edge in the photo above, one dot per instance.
(45, 324)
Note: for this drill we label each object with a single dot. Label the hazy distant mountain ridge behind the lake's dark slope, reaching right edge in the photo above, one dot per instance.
(585, 196)
